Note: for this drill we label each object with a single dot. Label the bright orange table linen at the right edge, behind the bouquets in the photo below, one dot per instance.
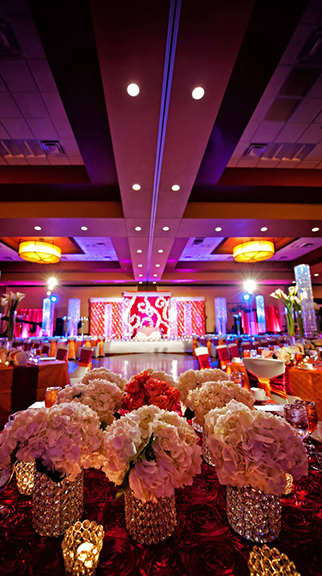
(307, 384)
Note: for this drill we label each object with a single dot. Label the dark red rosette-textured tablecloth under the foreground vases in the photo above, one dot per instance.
(202, 544)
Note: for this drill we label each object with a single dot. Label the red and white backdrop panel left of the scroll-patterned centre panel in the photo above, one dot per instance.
(106, 317)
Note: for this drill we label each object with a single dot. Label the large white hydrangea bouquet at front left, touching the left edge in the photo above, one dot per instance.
(61, 440)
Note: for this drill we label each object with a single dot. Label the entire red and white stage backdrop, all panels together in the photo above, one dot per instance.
(146, 312)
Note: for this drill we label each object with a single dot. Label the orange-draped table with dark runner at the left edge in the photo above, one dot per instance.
(20, 386)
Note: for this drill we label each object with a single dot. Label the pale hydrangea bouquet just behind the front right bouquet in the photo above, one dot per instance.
(216, 395)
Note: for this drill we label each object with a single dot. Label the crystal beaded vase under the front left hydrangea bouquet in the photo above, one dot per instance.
(56, 505)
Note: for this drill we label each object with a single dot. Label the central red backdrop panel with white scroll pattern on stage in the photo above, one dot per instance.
(147, 310)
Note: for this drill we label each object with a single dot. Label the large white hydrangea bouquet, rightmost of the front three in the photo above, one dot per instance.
(253, 448)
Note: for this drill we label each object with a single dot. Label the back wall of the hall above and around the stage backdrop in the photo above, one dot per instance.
(233, 295)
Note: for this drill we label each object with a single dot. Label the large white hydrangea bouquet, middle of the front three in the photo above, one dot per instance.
(151, 451)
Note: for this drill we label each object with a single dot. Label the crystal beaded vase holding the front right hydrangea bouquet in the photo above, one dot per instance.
(253, 514)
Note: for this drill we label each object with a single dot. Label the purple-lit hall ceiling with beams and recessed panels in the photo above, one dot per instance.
(73, 142)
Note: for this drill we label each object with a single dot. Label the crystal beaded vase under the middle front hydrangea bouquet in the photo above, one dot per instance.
(150, 522)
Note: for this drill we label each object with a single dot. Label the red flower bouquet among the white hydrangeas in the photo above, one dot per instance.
(145, 389)
